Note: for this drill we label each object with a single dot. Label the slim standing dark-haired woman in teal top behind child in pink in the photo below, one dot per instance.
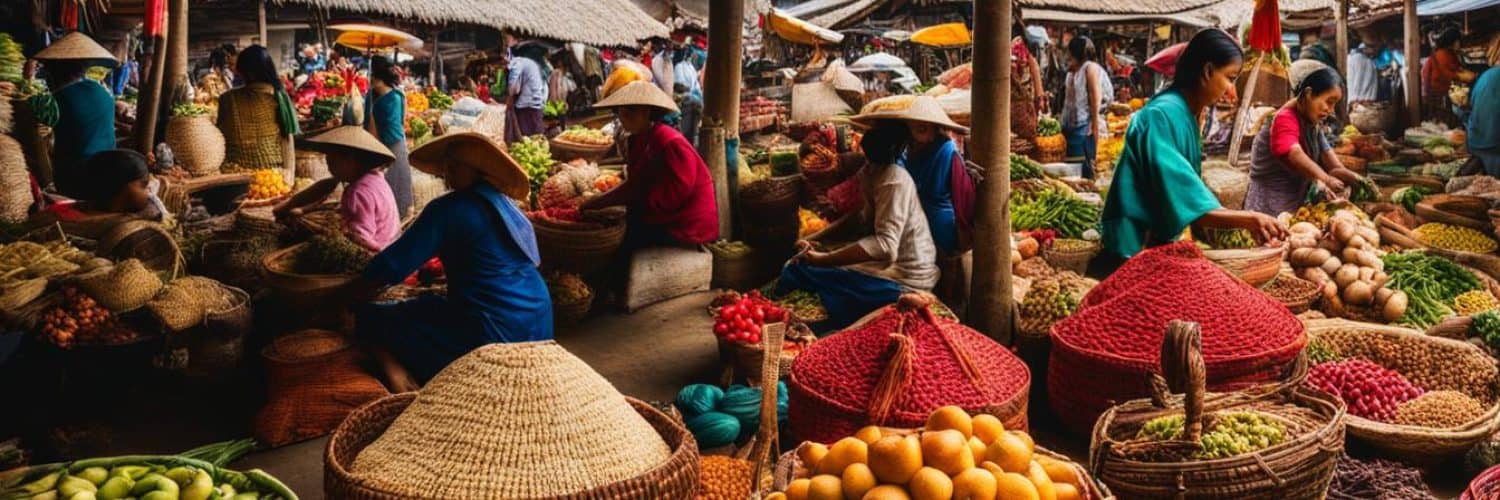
(386, 118)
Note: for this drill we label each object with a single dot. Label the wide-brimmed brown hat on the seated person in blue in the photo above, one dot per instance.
(479, 152)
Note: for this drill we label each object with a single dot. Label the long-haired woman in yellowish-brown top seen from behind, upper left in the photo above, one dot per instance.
(259, 119)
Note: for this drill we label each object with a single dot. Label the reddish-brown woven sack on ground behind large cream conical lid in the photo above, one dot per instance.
(314, 381)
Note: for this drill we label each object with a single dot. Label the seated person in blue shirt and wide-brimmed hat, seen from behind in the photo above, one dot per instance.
(490, 255)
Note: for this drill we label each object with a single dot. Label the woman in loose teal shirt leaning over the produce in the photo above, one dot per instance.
(1157, 191)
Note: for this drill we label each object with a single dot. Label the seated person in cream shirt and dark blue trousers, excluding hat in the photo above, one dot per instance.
(898, 256)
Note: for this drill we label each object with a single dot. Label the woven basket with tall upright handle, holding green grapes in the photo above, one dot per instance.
(1300, 468)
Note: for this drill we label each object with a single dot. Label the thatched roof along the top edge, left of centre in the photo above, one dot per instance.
(589, 22)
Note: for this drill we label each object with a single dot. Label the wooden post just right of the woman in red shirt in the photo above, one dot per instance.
(722, 101)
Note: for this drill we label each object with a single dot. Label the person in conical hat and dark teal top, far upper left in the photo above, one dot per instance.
(85, 110)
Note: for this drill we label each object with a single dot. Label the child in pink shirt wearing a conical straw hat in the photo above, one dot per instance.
(368, 205)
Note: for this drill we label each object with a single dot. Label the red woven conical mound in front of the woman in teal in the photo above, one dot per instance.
(1178, 283)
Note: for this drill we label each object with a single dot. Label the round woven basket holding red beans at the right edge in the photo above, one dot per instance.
(1388, 346)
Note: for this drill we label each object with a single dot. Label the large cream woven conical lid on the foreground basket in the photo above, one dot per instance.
(517, 421)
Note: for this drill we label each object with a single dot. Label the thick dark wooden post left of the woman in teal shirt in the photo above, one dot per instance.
(991, 294)
